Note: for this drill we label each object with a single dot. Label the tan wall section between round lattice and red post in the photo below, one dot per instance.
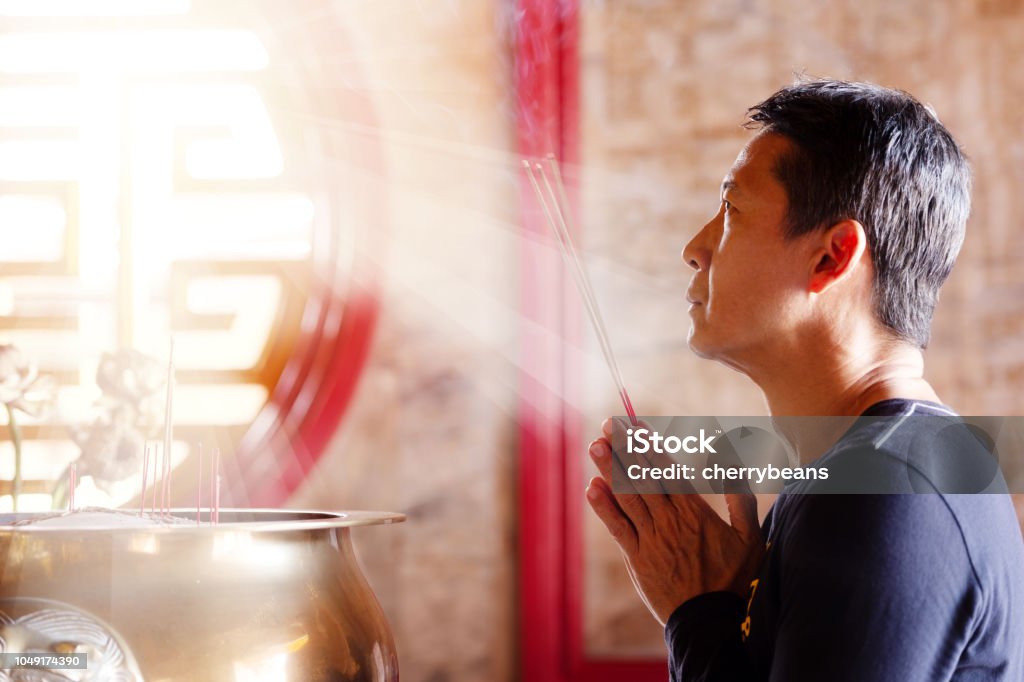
(433, 429)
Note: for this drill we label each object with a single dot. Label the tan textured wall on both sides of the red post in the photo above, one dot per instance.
(664, 91)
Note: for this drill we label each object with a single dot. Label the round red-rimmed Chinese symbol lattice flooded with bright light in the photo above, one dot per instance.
(181, 170)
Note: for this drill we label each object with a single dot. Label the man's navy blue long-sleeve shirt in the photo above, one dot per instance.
(870, 588)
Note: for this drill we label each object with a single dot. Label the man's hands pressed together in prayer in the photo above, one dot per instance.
(676, 546)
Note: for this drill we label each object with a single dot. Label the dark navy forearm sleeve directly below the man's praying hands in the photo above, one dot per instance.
(703, 636)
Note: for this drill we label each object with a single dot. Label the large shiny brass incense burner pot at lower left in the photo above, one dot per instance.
(265, 595)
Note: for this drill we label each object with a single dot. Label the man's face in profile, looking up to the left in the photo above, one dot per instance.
(749, 292)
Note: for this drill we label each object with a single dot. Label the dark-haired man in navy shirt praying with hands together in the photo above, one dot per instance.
(818, 278)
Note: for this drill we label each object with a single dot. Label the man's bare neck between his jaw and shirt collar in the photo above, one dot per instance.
(842, 383)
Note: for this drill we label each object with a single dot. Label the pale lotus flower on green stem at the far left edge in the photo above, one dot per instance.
(22, 390)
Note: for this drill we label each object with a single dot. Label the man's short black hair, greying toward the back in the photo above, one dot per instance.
(880, 157)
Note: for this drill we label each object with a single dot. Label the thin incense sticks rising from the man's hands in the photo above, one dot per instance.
(556, 205)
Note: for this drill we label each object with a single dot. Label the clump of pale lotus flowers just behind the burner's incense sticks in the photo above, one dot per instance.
(130, 411)
